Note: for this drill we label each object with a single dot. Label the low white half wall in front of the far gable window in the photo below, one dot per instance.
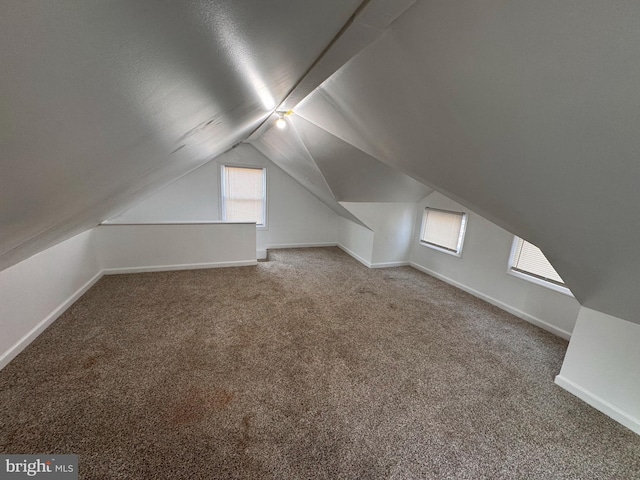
(144, 248)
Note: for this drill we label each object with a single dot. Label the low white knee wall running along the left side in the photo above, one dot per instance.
(34, 292)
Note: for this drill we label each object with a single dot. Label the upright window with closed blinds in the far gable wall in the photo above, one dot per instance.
(244, 195)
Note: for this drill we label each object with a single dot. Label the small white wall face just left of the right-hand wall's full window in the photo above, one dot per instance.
(392, 225)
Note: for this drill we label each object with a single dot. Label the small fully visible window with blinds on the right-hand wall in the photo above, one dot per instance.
(443, 230)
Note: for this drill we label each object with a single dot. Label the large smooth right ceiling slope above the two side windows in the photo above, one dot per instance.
(526, 112)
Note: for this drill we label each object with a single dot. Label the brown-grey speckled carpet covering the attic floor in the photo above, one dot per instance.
(306, 366)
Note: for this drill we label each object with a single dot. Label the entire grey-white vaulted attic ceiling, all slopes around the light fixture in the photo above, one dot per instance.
(526, 112)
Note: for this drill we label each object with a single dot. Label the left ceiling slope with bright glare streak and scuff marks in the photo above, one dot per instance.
(104, 101)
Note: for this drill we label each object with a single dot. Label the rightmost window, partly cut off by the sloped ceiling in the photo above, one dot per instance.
(528, 262)
